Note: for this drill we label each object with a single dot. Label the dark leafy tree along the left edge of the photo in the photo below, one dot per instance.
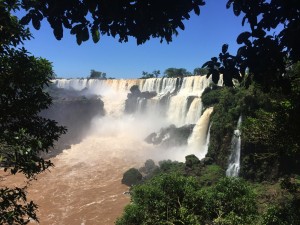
(23, 133)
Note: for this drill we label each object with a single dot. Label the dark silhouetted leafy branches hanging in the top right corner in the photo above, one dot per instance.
(265, 56)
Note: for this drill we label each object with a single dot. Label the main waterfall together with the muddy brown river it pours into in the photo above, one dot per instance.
(85, 186)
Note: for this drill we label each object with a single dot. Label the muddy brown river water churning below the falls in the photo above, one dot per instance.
(85, 186)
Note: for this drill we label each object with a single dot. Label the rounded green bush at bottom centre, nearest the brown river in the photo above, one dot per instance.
(165, 199)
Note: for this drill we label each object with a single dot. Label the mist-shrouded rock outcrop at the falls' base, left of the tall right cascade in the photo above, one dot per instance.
(171, 136)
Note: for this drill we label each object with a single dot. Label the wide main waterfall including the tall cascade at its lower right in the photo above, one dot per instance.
(177, 101)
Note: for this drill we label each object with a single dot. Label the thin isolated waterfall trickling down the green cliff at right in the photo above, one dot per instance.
(234, 159)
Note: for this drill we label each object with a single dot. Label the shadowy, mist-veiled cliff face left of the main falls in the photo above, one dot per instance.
(74, 110)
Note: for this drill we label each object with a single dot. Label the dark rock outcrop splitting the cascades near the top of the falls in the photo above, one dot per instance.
(135, 98)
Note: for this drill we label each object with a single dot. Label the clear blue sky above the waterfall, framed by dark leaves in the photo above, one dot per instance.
(202, 39)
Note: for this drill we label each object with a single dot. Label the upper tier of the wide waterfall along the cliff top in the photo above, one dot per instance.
(182, 96)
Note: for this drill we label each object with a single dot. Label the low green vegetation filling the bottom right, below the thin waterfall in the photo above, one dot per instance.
(195, 193)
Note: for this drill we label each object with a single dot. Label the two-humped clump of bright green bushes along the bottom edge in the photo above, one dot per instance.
(176, 199)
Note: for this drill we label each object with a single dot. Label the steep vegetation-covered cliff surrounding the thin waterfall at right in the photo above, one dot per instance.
(270, 129)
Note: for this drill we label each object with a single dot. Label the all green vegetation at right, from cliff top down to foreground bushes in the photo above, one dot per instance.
(197, 191)
